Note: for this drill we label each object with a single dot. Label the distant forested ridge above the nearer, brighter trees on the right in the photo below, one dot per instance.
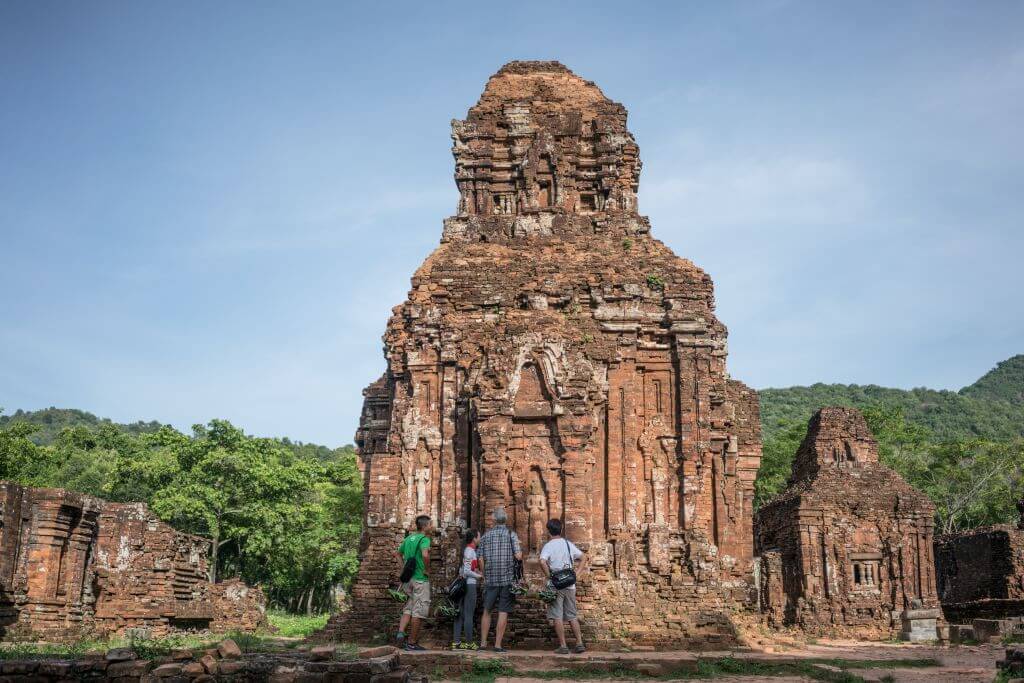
(993, 408)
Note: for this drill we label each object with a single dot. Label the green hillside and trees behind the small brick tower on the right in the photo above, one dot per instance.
(965, 450)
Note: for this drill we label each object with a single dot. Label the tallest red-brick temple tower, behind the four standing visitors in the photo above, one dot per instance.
(556, 359)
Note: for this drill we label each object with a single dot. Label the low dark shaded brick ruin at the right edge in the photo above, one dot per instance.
(980, 574)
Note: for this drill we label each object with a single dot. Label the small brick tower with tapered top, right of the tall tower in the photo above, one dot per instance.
(847, 548)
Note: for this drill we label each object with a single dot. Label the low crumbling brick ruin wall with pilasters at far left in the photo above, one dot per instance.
(74, 566)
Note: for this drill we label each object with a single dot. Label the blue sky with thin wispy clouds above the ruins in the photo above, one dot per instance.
(207, 210)
